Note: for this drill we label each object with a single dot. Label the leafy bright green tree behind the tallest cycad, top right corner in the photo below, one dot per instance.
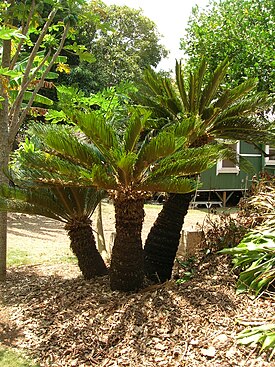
(243, 31)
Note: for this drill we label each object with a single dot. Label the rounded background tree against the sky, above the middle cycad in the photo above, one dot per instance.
(123, 43)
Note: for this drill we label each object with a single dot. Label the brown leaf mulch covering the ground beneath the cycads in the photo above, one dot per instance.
(62, 320)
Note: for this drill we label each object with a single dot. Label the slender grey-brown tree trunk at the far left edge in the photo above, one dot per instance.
(4, 153)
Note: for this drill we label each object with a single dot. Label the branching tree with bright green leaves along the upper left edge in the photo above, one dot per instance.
(22, 77)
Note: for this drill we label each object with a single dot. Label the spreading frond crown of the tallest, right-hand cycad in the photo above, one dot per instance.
(225, 113)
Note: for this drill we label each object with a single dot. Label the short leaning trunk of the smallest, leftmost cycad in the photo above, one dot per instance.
(83, 246)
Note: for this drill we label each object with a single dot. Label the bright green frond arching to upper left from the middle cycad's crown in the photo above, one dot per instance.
(63, 140)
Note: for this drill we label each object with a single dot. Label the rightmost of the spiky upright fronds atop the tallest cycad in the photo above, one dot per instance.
(213, 85)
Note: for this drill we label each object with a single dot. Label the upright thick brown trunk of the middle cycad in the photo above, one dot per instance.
(126, 271)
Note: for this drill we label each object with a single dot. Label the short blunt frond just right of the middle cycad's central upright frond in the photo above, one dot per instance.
(160, 146)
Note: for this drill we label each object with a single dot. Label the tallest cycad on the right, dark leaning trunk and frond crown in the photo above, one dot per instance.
(225, 114)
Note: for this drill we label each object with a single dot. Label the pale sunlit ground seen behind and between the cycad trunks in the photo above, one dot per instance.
(42, 240)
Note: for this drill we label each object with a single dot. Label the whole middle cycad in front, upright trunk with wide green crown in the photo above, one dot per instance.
(128, 165)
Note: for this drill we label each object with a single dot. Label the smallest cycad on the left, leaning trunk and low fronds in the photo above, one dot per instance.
(72, 206)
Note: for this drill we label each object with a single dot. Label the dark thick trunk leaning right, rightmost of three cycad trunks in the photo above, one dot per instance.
(163, 239)
